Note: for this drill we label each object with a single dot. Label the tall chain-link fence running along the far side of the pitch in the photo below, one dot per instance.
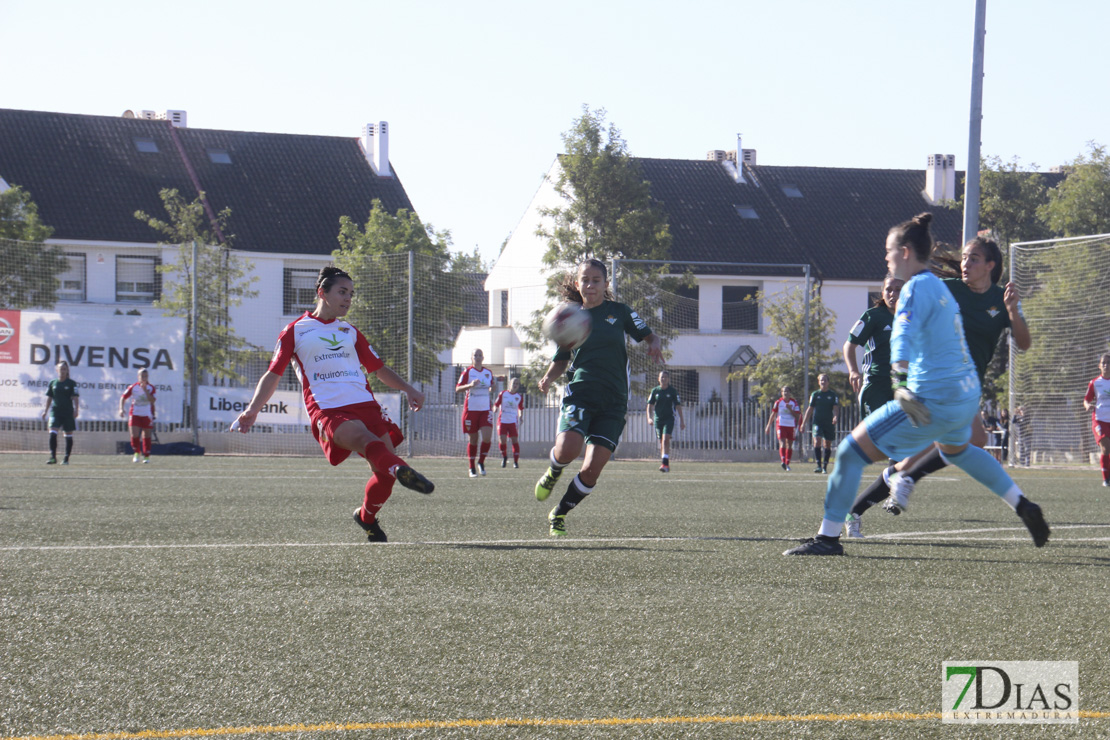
(103, 311)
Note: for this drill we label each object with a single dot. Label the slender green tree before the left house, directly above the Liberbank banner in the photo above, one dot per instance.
(224, 280)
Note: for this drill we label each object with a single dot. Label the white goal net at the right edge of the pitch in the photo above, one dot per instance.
(1064, 286)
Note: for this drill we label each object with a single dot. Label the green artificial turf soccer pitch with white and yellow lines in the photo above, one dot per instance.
(231, 596)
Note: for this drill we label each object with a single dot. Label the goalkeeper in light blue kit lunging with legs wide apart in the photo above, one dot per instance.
(936, 397)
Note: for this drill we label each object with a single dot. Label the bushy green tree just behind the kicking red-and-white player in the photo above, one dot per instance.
(377, 258)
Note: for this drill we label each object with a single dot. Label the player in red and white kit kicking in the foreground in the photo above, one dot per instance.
(329, 356)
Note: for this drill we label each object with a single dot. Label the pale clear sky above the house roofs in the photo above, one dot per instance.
(479, 94)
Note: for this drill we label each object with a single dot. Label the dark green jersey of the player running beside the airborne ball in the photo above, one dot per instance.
(603, 360)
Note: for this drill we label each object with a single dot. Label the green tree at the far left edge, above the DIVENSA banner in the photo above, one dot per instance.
(28, 268)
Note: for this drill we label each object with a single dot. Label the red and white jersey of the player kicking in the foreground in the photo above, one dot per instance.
(329, 359)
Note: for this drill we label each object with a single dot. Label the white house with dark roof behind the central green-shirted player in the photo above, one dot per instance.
(834, 220)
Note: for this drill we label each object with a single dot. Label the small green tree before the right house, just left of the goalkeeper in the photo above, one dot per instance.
(783, 364)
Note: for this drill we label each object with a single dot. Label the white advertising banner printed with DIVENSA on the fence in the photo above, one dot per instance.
(105, 356)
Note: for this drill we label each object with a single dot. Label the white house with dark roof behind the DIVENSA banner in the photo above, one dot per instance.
(89, 175)
